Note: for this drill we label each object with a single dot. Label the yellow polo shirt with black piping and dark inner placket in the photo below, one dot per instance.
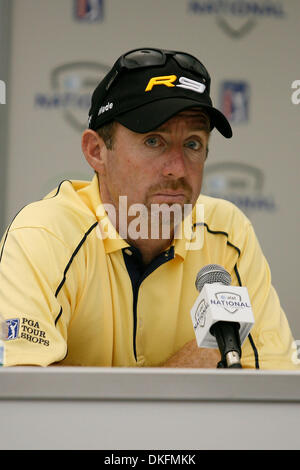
(69, 295)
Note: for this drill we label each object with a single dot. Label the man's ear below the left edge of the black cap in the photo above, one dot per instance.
(94, 150)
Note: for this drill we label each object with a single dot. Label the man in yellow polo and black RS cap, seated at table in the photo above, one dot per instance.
(103, 273)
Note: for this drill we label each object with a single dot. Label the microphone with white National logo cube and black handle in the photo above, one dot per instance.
(222, 316)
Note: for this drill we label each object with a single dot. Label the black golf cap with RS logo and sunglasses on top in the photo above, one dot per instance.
(146, 87)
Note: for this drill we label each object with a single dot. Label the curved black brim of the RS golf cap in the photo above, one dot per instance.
(149, 116)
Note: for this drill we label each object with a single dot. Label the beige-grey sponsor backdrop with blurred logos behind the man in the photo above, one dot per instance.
(60, 50)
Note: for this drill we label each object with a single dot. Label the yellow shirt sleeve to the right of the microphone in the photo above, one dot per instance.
(271, 336)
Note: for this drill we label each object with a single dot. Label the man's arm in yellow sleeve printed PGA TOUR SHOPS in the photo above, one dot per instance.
(29, 276)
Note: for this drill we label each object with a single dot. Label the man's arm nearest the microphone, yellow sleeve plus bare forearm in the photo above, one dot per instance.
(270, 345)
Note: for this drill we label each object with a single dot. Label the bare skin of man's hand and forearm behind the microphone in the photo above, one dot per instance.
(192, 356)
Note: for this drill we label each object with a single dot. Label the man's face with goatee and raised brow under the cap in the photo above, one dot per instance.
(162, 166)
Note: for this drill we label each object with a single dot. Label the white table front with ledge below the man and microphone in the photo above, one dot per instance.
(149, 408)
